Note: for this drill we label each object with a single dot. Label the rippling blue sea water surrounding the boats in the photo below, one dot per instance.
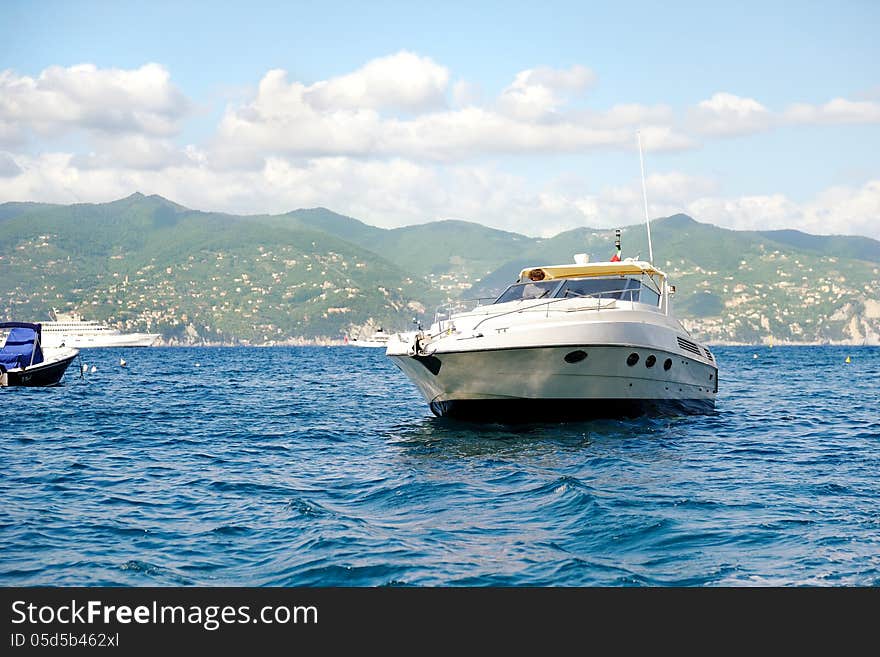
(322, 466)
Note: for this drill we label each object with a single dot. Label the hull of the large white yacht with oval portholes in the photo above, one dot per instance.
(586, 380)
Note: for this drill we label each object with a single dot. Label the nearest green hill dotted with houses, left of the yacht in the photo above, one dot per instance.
(144, 263)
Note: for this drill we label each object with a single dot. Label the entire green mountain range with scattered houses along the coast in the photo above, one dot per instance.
(146, 263)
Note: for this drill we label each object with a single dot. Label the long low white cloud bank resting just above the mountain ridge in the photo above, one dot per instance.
(398, 192)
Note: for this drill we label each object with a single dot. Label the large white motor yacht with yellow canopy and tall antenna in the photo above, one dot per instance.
(581, 339)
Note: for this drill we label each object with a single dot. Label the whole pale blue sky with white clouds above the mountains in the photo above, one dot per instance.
(521, 116)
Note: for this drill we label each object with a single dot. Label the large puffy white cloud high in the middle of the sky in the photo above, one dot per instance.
(283, 120)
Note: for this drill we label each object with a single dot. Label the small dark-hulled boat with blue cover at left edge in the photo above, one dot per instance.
(24, 362)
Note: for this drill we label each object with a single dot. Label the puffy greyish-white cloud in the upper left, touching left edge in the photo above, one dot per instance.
(84, 97)
